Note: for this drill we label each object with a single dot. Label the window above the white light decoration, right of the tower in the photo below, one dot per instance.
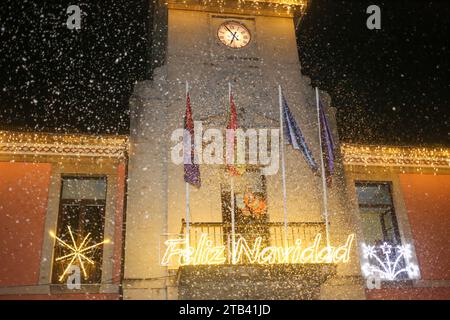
(377, 213)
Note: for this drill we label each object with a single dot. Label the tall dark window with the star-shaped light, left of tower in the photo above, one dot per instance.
(81, 221)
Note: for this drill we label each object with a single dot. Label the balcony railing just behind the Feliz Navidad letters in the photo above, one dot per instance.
(273, 233)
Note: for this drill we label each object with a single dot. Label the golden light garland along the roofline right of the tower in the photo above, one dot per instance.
(386, 156)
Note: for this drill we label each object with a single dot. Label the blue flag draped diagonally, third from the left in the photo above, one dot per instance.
(293, 136)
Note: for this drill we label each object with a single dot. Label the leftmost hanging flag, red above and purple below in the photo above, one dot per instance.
(191, 169)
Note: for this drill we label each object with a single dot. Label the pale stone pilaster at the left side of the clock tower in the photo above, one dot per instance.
(146, 220)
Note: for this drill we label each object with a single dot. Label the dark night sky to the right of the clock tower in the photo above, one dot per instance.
(391, 85)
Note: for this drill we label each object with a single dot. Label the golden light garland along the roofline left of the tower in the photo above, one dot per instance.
(49, 144)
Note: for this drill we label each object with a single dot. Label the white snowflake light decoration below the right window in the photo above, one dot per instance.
(388, 262)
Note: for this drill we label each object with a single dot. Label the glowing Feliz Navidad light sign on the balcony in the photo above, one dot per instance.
(179, 253)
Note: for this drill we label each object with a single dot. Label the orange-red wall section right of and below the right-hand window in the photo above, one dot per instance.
(427, 201)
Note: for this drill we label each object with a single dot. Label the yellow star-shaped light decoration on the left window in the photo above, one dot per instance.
(78, 253)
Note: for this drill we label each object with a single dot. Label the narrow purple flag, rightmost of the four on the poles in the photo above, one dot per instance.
(327, 145)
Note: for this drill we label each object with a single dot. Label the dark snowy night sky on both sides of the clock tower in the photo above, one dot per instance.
(390, 86)
